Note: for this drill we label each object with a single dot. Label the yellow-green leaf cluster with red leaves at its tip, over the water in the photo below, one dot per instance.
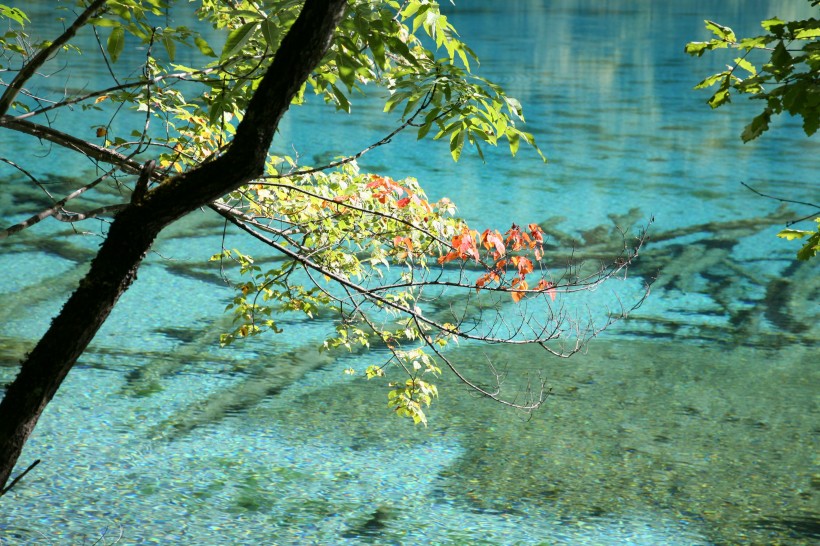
(368, 246)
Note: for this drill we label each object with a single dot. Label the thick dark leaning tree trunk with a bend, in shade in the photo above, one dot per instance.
(134, 229)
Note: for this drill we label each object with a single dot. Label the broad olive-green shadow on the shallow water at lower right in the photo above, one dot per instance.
(698, 435)
